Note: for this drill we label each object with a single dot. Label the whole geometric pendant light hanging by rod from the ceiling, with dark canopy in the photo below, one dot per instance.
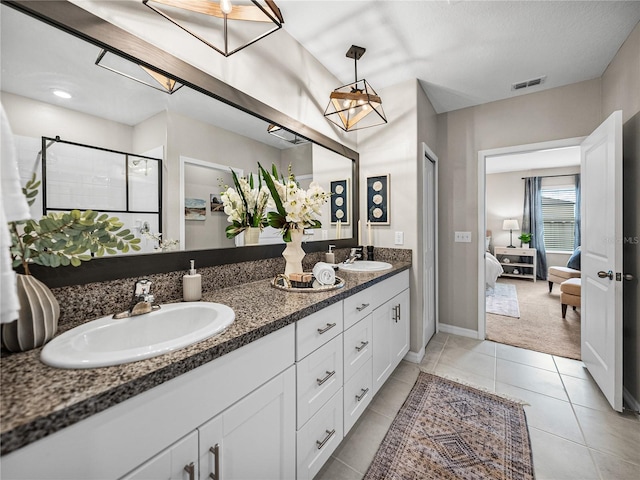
(356, 105)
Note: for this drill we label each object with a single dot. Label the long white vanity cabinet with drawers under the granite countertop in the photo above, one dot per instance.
(276, 408)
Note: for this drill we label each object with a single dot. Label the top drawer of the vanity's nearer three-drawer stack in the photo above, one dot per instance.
(317, 329)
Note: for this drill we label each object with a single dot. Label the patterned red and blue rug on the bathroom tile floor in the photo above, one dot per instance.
(446, 431)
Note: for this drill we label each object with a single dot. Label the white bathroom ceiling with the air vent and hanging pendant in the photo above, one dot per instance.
(464, 53)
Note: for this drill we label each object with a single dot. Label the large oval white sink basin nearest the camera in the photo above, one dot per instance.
(107, 341)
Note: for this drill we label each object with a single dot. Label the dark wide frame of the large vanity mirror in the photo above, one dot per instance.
(78, 22)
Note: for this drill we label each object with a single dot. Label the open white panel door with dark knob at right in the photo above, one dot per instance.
(601, 257)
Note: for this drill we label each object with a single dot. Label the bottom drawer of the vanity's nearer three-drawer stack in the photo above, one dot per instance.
(317, 440)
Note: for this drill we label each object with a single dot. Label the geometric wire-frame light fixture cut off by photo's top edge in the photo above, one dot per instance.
(230, 25)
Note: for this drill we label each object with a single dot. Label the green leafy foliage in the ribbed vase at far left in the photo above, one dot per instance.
(67, 238)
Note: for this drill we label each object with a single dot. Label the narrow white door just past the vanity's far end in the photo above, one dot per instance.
(429, 221)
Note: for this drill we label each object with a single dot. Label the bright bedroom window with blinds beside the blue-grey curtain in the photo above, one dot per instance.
(558, 213)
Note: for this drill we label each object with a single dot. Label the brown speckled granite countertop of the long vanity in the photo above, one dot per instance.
(38, 400)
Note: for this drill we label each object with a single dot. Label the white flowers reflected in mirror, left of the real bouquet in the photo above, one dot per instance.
(245, 205)
